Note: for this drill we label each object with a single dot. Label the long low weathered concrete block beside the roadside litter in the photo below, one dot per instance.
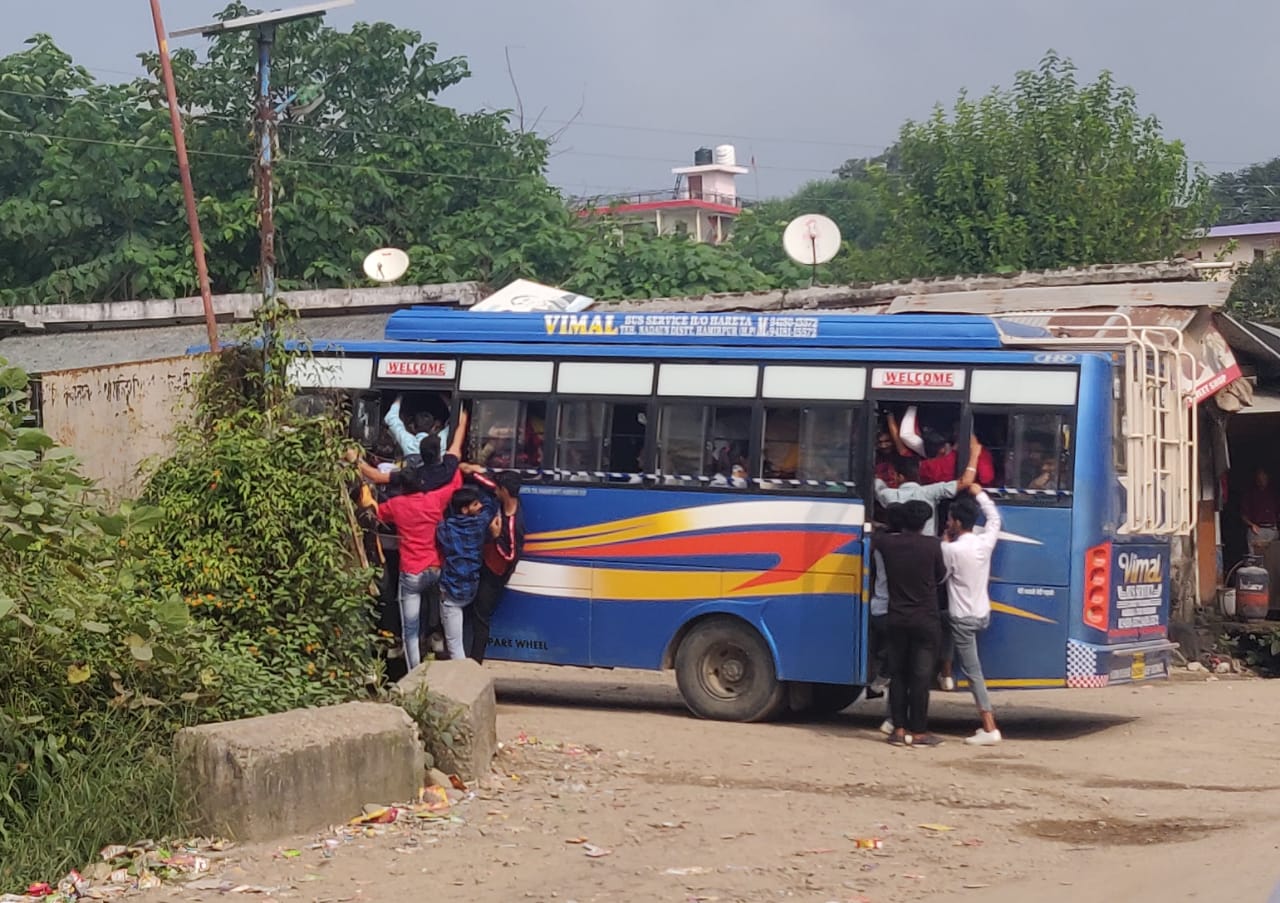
(299, 772)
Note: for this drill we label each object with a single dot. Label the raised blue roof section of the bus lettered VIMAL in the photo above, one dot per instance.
(601, 326)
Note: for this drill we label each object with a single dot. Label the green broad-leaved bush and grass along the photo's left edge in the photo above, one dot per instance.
(94, 676)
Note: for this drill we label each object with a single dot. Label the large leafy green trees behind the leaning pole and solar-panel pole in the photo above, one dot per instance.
(93, 204)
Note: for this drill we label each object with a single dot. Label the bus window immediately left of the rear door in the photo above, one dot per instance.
(811, 445)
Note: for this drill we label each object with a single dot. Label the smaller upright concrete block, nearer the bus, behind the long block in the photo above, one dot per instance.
(458, 713)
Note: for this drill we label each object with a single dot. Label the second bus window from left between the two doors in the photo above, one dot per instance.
(598, 441)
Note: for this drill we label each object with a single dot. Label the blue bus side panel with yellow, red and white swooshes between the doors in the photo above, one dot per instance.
(651, 562)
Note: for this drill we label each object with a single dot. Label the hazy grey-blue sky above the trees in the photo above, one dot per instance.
(798, 86)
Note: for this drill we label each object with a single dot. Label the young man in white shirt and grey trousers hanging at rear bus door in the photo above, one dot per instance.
(968, 559)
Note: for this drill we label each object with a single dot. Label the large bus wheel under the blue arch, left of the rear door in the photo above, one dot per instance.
(726, 673)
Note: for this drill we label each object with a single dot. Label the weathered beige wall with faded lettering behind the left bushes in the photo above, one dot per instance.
(120, 416)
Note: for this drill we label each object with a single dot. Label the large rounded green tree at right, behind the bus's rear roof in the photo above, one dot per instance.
(1048, 175)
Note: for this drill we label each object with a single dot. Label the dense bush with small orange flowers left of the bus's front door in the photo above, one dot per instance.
(255, 539)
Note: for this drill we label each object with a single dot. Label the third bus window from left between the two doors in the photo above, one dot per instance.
(705, 444)
